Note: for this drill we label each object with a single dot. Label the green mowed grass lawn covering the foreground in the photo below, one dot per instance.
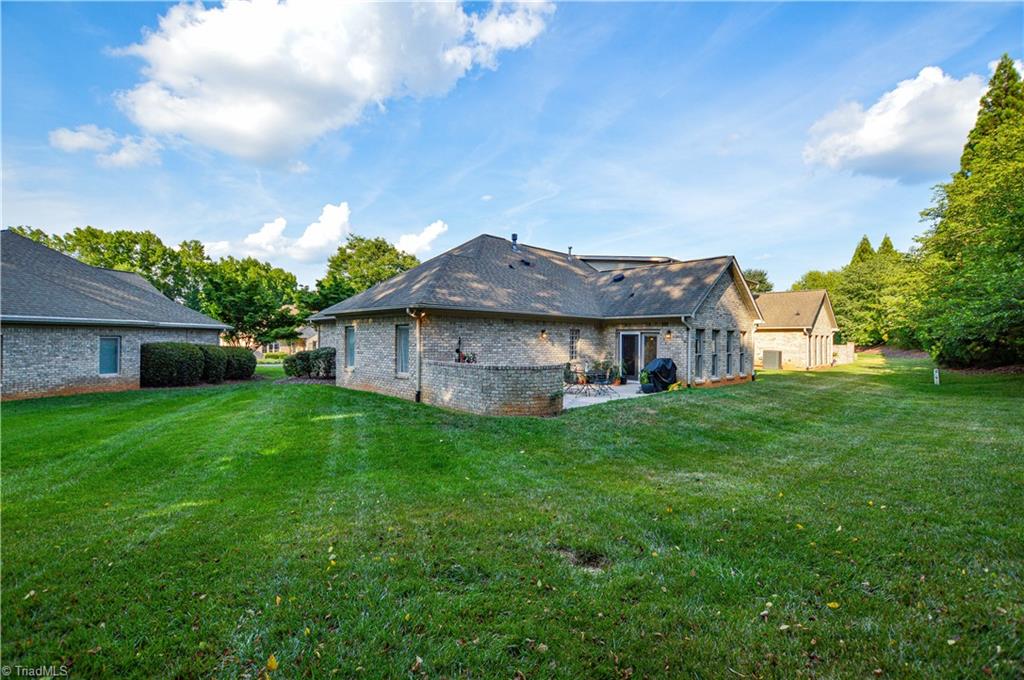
(823, 524)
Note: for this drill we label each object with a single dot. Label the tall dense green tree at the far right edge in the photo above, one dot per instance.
(970, 308)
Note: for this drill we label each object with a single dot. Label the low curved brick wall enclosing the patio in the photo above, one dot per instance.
(494, 391)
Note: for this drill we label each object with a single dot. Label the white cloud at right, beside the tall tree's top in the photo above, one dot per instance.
(914, 133)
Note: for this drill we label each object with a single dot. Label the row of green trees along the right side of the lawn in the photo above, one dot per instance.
(959, 292)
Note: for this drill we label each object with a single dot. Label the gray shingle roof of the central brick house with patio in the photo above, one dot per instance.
(487, 275)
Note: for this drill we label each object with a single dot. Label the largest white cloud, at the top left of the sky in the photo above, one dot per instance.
(263, 79)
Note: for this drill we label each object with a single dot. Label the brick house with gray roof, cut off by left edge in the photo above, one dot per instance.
(70, 328)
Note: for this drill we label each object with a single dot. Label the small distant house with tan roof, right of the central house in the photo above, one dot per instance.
(800, 325)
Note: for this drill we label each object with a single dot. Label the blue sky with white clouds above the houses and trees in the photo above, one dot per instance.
(776, 133)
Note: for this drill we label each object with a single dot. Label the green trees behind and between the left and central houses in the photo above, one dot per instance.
(262, 303)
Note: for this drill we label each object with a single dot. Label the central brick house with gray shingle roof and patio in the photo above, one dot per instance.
(523, 313)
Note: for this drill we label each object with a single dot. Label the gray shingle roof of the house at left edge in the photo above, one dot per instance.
(39, 285)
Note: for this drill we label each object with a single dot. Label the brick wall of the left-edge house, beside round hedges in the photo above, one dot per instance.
(46, 361)
